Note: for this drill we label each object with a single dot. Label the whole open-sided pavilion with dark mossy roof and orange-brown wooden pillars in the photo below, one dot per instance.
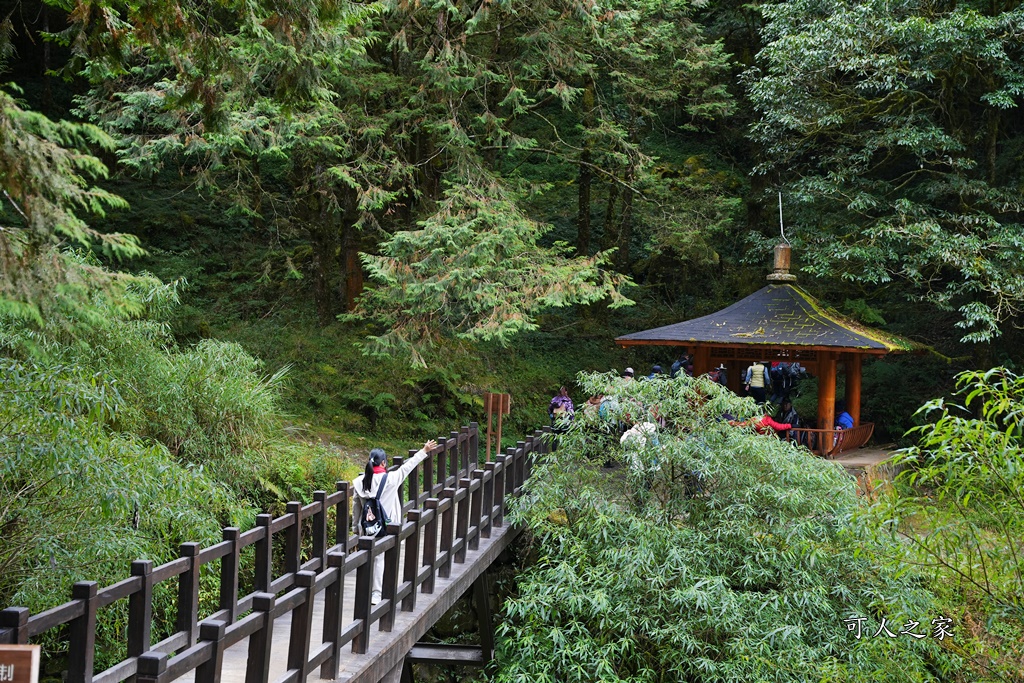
(782, 322)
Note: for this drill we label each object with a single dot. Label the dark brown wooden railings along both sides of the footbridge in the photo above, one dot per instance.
(460, 499)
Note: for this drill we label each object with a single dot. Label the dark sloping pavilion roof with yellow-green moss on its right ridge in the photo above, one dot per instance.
(780, 315)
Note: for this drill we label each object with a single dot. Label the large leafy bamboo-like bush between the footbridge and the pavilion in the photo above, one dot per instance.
(749, 578)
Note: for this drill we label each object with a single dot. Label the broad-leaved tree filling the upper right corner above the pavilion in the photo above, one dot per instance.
(887, 121)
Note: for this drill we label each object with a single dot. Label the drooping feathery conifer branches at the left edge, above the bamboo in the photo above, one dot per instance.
(46, 170)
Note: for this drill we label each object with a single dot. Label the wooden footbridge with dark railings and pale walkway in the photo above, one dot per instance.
(310, 610)
